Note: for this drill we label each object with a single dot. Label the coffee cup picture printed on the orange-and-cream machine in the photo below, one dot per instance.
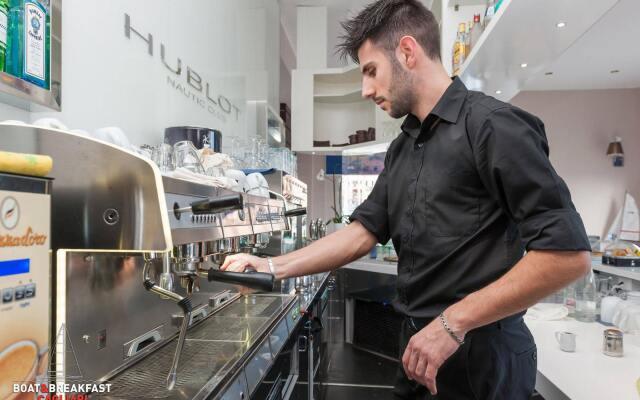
(19, 364)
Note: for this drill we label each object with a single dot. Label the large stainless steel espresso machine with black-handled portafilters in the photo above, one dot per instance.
(139, 299)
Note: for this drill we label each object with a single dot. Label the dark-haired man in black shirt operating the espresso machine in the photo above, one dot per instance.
(467, 188)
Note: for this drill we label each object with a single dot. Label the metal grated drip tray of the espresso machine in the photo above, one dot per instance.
(211, 351)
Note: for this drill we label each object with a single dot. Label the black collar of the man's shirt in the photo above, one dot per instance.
(447, 108)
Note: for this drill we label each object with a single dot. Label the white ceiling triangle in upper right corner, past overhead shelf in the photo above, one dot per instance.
(609, 45)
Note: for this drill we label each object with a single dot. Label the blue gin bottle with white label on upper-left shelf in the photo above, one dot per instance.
(28, 53)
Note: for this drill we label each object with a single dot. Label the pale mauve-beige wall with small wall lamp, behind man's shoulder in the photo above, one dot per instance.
(579, 126)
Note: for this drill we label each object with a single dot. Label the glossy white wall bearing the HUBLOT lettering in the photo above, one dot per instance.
(111, 80)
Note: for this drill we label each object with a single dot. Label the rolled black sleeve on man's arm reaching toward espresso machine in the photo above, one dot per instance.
(372, 213)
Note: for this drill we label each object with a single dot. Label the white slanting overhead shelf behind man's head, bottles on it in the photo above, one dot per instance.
(495, 62)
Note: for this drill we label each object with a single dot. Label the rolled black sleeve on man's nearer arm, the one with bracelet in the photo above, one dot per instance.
(512, 156)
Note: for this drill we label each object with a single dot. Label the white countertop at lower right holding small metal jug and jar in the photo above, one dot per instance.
(587, 373)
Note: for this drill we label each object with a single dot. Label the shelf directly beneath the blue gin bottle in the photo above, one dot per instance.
(24, 95)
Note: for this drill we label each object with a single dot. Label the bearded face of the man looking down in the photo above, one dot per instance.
(385, 81)
